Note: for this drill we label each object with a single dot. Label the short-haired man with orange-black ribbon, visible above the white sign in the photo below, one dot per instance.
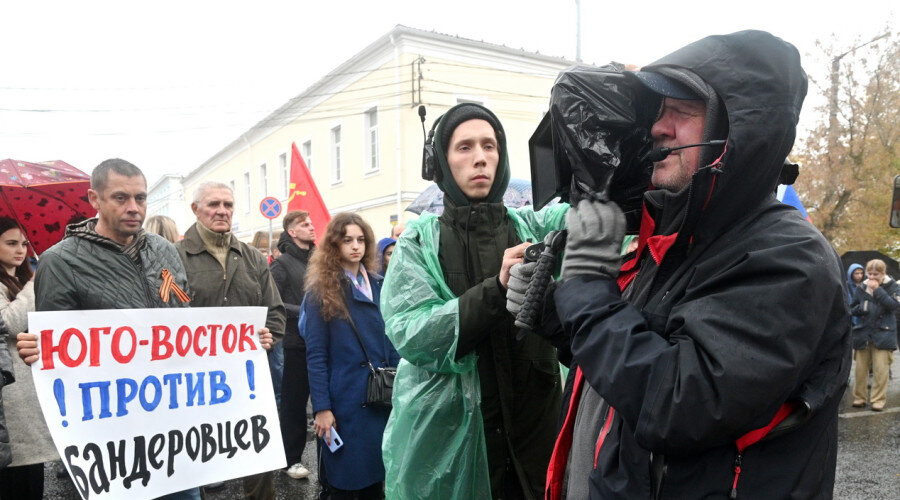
(110, 262)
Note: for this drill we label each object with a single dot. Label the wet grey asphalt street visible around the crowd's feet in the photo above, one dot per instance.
(868, 457)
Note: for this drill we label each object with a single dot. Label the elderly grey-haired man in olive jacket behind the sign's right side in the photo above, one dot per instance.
(223, 271)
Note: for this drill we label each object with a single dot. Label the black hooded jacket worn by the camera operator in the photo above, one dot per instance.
(745, 315)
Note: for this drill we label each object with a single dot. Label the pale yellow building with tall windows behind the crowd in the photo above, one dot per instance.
(359, 130)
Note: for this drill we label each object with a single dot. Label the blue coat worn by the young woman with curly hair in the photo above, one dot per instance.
(338, 375)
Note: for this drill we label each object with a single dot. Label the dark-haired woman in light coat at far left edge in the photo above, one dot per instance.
(30, 442)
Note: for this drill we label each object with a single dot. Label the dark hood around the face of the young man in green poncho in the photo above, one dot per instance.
(447, 125)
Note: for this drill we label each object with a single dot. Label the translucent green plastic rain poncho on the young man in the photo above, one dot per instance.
(434, 443)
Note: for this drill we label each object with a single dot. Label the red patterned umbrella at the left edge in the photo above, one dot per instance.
(44, 197)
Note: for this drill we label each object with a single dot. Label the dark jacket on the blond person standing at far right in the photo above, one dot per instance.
(876, 323)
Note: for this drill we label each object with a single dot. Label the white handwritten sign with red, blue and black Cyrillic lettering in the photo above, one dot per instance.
(144, 402)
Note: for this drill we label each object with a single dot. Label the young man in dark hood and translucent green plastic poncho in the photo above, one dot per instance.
(475, 410)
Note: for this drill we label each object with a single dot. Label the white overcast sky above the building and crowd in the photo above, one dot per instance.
(167, 84)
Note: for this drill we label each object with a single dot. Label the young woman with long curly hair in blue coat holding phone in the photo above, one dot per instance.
(338, 287)
